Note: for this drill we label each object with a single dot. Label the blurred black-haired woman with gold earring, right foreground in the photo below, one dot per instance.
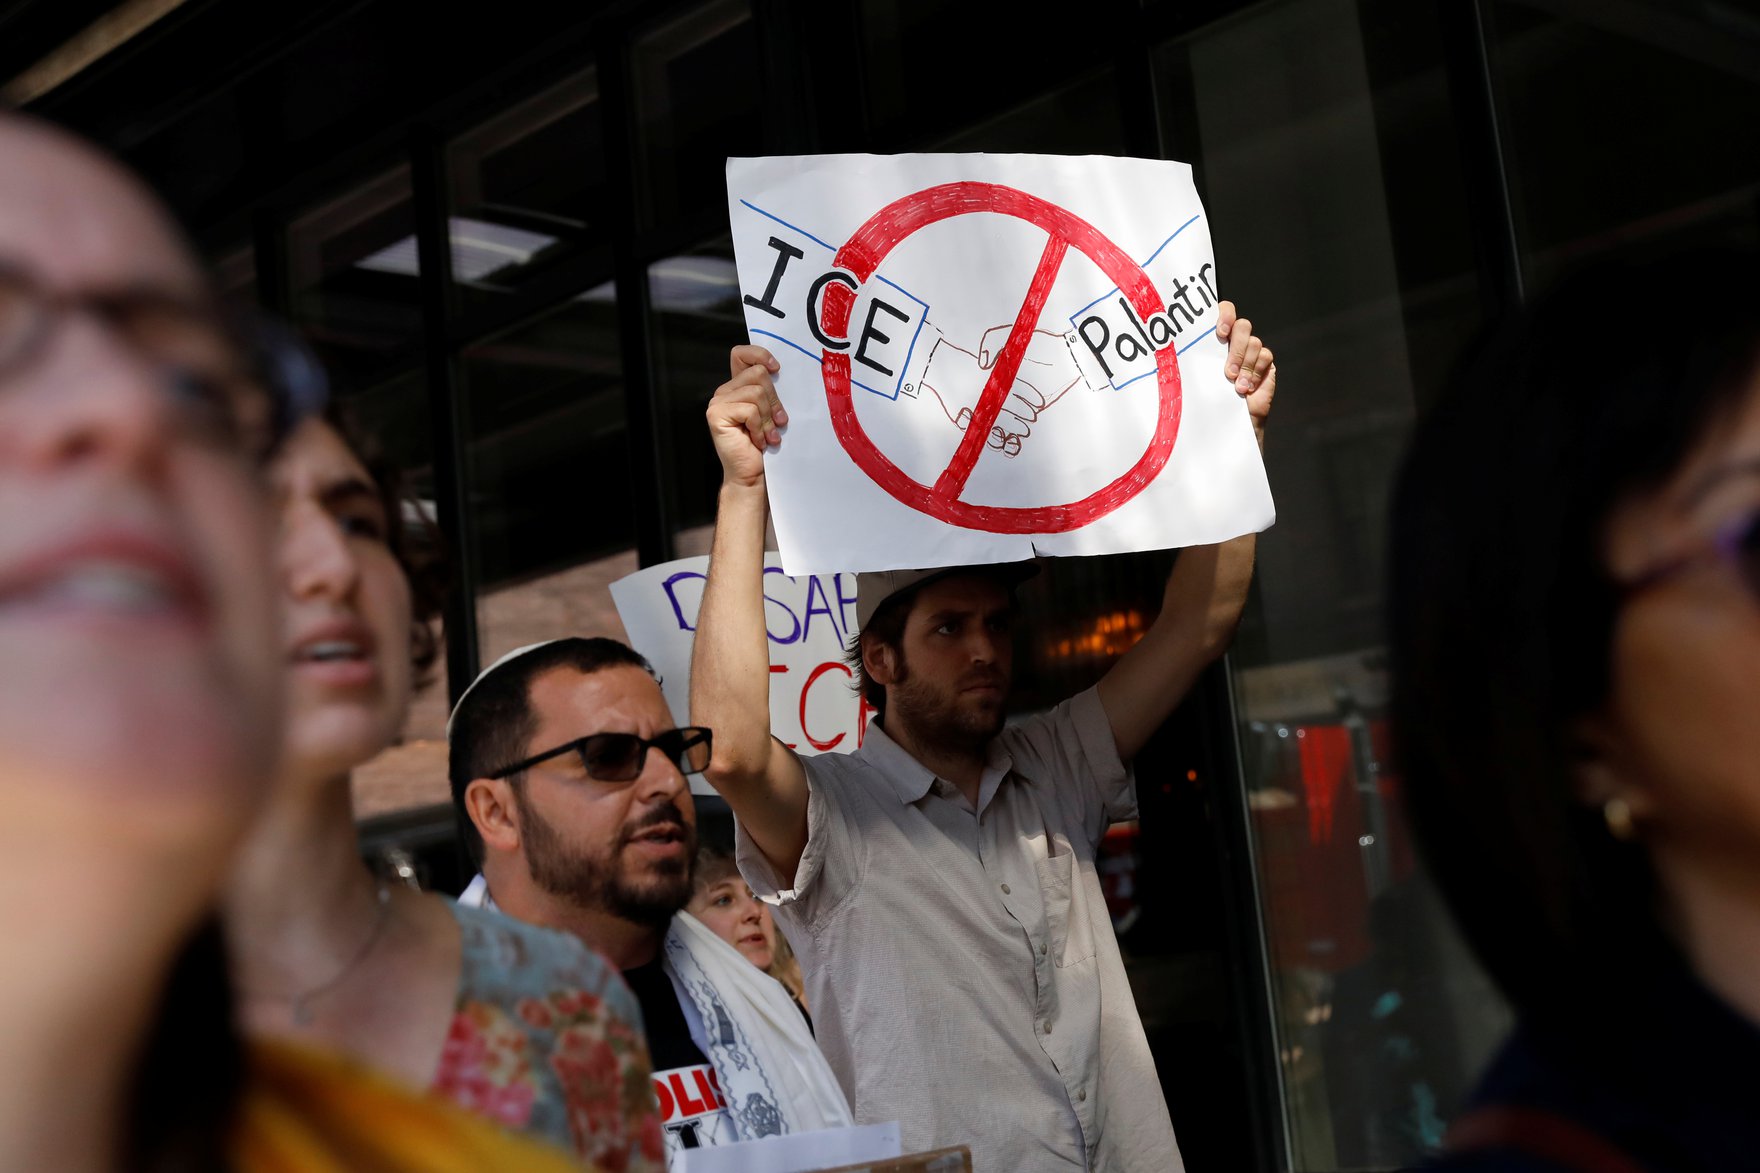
(1576, 675)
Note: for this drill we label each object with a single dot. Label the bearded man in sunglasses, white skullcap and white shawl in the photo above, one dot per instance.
(571, 786)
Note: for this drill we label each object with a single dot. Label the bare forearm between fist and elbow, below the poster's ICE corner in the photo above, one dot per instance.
(730, 670)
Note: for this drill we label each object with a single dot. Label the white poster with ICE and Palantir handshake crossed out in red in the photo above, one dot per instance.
(988, 358)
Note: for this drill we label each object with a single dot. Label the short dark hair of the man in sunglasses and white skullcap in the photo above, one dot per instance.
(495, 721)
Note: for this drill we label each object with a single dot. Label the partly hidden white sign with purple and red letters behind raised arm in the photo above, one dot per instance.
(810, 623)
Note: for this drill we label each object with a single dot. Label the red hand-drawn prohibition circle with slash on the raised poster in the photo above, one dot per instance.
(862, 256)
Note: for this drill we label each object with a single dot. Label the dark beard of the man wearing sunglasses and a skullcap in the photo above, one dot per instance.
(596, 882)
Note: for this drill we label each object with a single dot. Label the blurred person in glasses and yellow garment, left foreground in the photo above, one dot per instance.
(142, 707)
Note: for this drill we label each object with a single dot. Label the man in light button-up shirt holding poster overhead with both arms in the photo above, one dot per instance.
(941, 883)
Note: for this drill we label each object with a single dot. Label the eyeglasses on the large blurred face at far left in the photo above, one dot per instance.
(240, 383)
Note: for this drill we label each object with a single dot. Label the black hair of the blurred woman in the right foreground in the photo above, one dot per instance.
(1502, 610)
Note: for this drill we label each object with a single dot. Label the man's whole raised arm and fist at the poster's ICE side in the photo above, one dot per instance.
(730, 670)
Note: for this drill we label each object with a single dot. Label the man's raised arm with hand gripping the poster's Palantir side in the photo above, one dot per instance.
(1205, 593)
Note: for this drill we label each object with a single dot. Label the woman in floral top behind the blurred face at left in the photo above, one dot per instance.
(515, 1022)
